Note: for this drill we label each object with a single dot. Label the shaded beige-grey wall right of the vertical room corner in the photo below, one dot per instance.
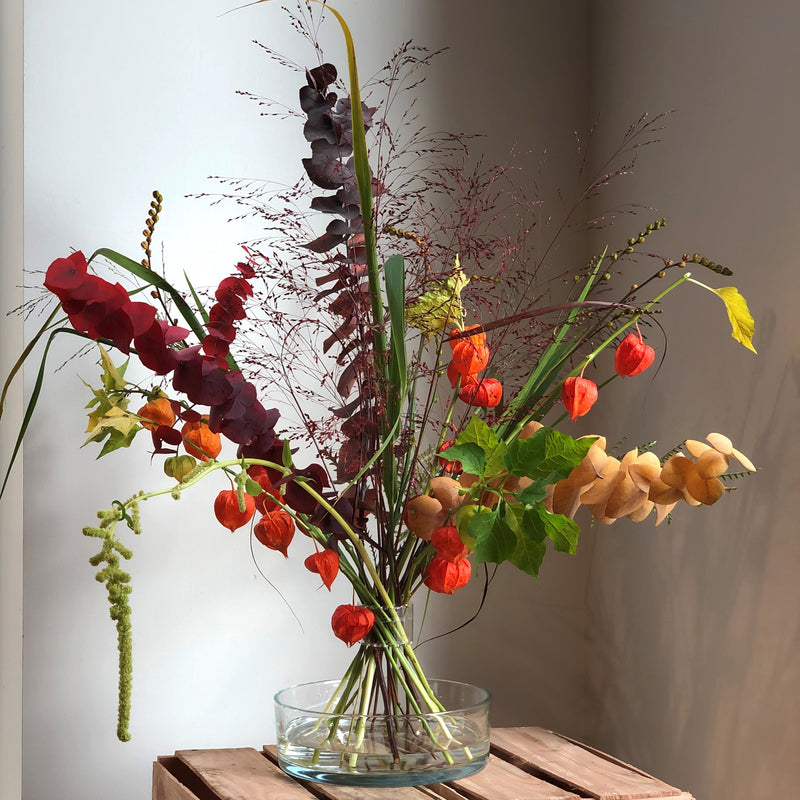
(695, 651)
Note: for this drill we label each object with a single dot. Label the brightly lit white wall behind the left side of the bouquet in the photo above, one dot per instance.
(120, 100)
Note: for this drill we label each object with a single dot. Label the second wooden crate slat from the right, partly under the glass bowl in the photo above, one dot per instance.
(503, 781)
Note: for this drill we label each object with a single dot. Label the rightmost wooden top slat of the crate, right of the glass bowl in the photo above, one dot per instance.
(588, 772)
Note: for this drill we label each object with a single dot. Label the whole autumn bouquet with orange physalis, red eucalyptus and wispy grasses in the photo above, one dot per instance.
(443, 449)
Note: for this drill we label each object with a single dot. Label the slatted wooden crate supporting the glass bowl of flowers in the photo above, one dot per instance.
(525, 764)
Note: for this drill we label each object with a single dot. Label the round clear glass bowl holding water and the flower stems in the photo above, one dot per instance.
(382, 749)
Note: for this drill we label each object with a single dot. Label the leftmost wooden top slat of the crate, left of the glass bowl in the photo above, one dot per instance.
(241, 774)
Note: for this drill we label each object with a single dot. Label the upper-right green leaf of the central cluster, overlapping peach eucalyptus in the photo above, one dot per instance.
(548, 454)
